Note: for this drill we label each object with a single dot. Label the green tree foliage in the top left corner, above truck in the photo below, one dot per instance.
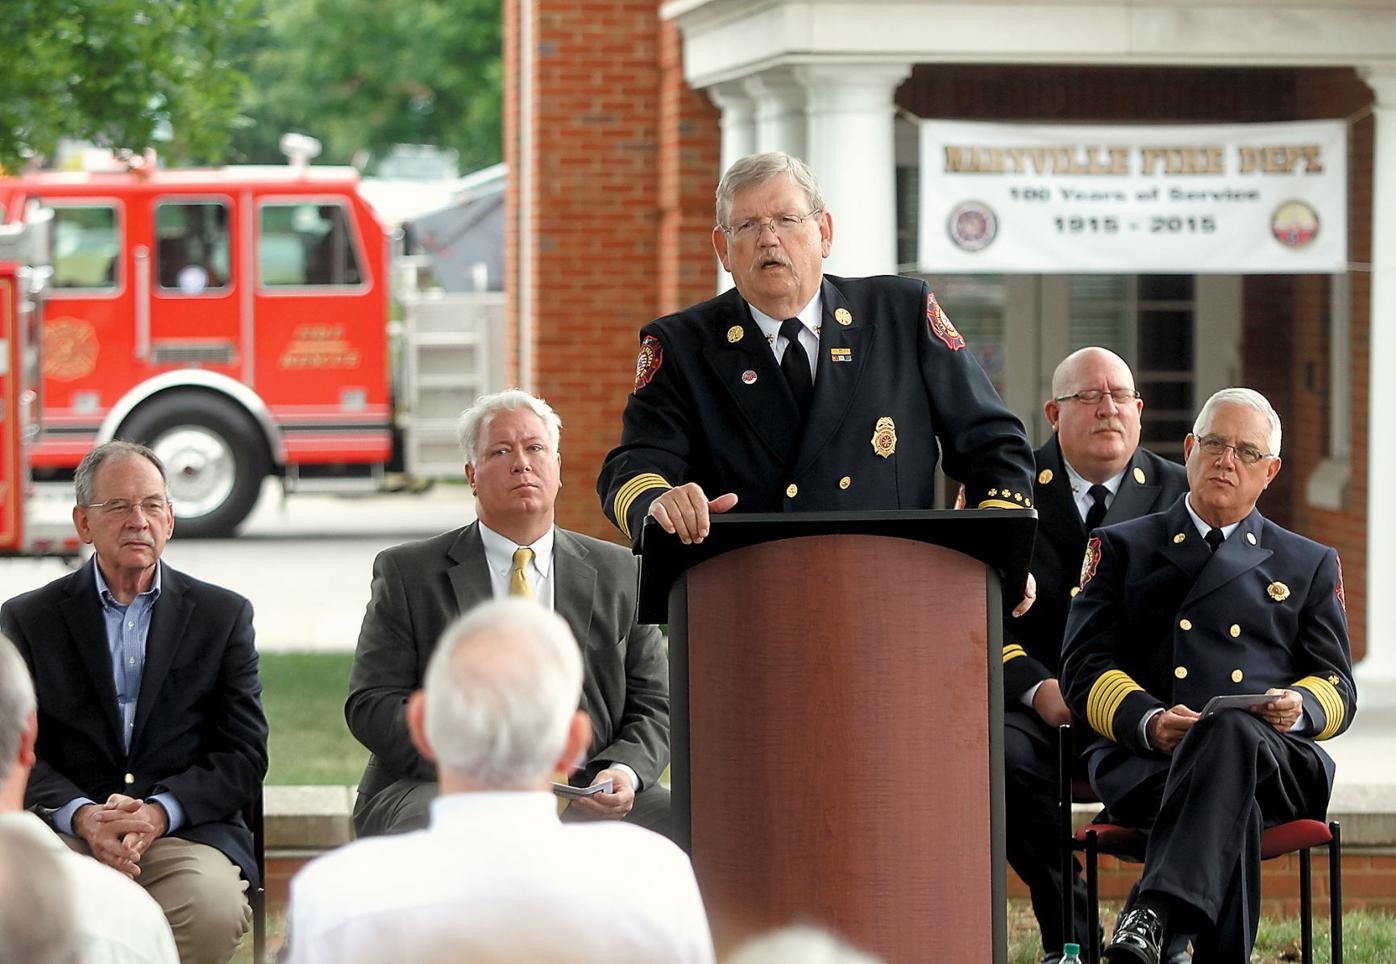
(121, 73)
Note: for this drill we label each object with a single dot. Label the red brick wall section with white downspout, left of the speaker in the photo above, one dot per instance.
(611, 158)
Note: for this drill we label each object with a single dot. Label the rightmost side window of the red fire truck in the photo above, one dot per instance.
(306, 245)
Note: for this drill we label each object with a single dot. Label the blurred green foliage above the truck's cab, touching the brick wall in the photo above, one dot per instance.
(366, 75)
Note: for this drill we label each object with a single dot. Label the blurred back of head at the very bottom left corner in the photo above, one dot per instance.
(37, 917)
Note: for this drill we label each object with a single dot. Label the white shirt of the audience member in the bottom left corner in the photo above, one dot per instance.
(118, 921)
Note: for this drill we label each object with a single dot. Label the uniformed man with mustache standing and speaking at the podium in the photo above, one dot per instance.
(801, 391)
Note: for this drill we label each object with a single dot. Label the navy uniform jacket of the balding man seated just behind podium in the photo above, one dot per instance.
(1032, 642)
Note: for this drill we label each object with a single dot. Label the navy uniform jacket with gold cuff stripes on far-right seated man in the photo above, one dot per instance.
(1162, 622)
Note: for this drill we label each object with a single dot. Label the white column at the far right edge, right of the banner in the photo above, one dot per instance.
(1377, 672)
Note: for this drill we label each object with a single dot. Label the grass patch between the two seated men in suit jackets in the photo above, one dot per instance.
(304, 695)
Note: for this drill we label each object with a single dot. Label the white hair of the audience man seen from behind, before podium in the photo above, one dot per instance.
(500, 694)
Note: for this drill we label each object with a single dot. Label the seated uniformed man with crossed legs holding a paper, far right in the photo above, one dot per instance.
(1210, 599)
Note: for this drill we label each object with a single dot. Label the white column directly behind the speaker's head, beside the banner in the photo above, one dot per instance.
(851, 149)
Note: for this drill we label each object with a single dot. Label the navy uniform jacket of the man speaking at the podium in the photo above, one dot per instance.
(711, 407)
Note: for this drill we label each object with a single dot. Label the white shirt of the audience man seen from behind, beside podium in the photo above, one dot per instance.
(498, 878)
